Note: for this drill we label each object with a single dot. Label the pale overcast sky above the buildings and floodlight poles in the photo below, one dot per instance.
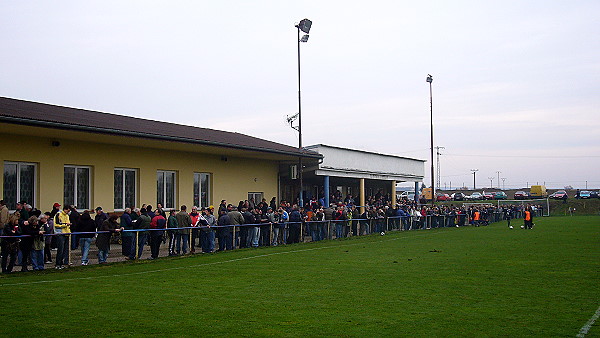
(516, 84)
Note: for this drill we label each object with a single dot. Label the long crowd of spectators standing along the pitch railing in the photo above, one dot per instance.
(29, 236)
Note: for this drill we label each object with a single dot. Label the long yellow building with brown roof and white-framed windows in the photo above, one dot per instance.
(85, 158)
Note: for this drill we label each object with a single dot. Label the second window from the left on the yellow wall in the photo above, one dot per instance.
(77, 186)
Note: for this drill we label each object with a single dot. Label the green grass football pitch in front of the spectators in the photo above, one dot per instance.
(487, 281)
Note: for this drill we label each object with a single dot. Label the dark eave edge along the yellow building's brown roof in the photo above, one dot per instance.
(57, 125)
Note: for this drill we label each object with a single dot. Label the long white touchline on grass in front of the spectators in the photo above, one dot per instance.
(214, 263)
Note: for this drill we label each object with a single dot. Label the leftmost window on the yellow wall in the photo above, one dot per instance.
(20, 183)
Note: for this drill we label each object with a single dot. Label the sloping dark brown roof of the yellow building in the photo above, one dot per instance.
(47, 115)
